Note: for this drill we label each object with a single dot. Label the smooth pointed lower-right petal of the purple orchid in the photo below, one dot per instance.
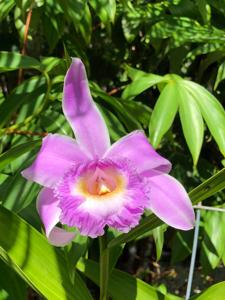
(170, 202)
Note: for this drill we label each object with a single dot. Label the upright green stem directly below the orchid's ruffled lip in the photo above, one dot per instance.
(104, 267)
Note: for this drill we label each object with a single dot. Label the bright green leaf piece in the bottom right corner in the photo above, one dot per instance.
(216, 291)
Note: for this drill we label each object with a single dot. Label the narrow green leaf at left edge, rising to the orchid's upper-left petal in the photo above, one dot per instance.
(13, 153)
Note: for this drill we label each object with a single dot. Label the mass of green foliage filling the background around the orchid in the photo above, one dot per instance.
(153, 65)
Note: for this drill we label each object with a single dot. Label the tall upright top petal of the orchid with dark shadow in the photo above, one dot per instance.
(82, 113)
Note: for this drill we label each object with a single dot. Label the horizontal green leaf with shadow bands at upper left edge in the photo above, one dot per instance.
(10, 61)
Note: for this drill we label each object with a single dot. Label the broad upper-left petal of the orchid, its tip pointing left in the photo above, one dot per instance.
(56, 156)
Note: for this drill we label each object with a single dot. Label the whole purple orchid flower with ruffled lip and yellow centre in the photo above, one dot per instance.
(89, 184)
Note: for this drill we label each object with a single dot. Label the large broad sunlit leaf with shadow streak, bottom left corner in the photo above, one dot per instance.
(41, 265)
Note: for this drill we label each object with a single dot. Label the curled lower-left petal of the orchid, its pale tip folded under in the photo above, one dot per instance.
(47, 206)
